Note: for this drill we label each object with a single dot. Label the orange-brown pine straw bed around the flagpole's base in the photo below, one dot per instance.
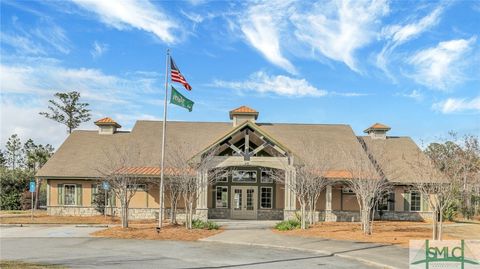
(148, 231)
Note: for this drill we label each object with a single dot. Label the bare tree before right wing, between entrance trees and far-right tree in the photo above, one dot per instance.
(368, 183)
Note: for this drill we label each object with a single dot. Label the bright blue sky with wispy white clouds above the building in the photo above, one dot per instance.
(412, 65)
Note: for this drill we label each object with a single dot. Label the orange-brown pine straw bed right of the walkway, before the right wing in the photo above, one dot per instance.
(388, 232)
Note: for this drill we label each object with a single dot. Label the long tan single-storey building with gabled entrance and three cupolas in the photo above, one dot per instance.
(249, 149)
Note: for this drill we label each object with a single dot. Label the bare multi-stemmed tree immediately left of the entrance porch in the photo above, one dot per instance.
(188, 173)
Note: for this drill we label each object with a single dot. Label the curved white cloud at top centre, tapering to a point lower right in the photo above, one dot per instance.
(262, 26)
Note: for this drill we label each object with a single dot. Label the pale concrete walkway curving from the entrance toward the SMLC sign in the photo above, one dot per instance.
(384, 256)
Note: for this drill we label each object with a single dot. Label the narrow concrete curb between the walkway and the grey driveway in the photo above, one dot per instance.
(346, 256)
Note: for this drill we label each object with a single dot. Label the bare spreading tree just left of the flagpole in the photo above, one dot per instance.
(124, 175)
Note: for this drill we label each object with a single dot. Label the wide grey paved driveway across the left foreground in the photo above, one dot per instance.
(65, 245)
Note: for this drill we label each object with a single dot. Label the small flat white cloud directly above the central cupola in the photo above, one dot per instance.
(281, 85)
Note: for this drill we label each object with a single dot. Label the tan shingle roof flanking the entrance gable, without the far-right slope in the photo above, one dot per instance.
(83, 152)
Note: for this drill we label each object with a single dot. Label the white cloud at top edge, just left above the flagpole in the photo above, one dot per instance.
(126, 14)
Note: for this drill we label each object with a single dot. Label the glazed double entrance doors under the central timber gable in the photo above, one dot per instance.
(244, 202)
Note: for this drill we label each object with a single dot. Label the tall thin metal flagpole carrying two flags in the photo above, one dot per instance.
(162, 164)
